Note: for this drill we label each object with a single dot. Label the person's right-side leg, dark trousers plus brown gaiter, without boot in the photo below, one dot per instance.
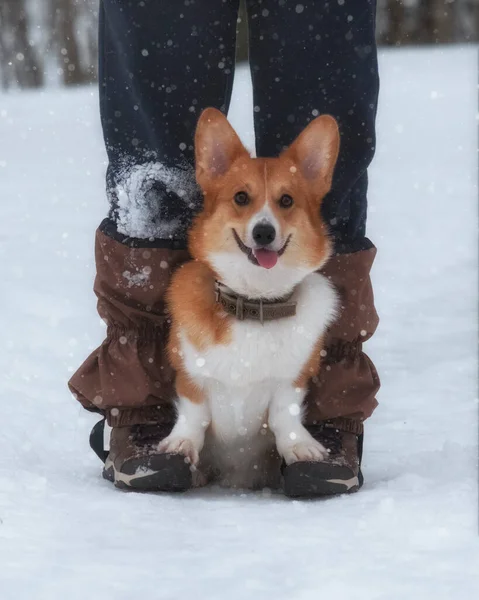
(310, 58)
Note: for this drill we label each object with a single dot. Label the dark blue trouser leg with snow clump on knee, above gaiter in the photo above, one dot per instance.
(161, 64)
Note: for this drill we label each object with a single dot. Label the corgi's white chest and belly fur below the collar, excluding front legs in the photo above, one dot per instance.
(241, 379)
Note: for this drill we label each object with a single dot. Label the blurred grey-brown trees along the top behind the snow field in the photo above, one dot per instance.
(55, 41)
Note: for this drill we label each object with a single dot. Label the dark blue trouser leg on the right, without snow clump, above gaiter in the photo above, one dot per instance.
(311, 58)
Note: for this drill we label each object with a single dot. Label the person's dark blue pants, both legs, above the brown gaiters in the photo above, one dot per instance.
(163, 61)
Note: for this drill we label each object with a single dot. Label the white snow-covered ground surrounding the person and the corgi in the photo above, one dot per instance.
(410, 533)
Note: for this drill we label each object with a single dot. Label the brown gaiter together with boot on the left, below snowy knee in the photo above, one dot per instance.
(128, 379)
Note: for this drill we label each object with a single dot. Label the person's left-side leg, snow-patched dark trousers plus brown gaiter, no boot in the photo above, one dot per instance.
(161, 64)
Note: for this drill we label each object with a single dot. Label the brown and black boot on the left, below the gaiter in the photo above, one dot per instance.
(134, 462)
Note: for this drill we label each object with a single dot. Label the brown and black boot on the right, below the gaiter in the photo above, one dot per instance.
(340, 473)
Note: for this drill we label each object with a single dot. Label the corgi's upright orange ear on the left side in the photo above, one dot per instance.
(217, 146)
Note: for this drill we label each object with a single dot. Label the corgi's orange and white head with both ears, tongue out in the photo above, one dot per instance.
(261, 229)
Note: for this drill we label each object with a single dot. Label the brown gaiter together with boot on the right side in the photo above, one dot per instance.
(343, 394)
